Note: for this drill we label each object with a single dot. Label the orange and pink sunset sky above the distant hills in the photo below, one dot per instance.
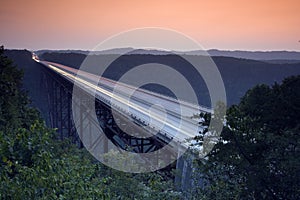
(257, 25)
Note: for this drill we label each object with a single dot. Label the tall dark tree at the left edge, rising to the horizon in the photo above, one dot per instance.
(13, 110)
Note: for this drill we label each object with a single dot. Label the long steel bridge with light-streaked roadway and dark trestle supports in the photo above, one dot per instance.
(132, 119)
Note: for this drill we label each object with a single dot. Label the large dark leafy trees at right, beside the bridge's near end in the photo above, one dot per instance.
(257, 156)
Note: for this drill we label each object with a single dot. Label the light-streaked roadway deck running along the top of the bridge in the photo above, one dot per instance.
(171, 117)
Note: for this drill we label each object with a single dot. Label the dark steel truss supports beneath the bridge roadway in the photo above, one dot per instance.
(115, 125)
